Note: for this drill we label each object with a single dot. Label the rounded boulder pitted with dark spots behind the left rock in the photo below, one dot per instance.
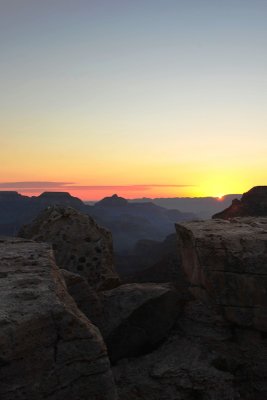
(79, 243)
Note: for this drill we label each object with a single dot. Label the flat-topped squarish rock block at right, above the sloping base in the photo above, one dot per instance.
(226, 264)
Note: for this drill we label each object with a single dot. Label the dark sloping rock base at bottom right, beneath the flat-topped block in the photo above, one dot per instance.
(204, 358)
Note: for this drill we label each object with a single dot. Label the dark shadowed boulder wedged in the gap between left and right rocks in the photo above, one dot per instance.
(137, 317)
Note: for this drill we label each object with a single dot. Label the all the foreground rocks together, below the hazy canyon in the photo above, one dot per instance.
(67, 332)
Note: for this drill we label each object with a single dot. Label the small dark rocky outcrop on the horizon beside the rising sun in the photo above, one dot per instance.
(253, 203)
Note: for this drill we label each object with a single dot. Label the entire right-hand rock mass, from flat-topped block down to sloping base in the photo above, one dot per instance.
(217, 349)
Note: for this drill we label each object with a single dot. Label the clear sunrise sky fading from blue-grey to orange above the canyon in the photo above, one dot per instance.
(144, 98)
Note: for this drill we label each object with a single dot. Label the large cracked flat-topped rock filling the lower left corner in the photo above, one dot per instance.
(48, 348)
